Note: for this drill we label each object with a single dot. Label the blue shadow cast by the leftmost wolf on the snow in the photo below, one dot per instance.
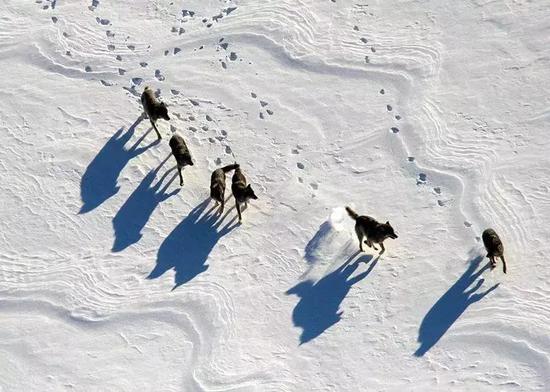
(99, 181)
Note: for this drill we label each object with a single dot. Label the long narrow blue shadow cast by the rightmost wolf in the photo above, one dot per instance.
(451, 306)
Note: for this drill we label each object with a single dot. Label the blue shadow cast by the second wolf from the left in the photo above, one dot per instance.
(136, 211)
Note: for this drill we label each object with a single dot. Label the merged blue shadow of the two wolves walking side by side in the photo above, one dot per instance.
(187, 247)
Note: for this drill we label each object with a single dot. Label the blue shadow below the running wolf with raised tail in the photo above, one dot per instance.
(318, 308)
